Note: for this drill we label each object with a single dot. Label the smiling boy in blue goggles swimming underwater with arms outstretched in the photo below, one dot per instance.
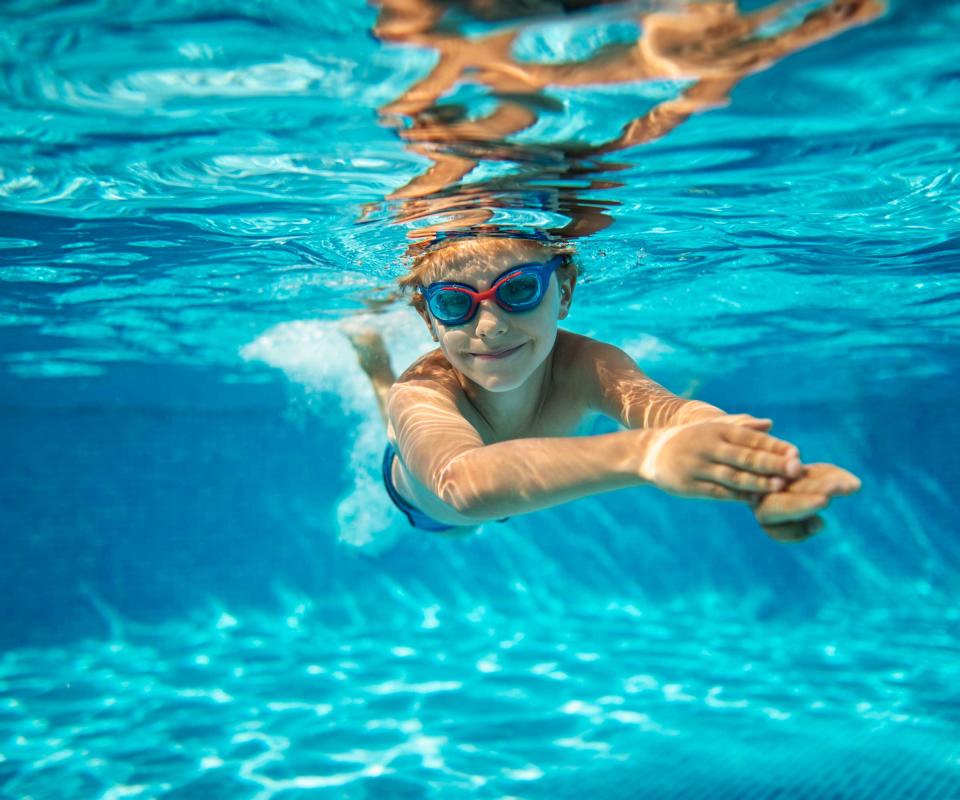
(480, 429)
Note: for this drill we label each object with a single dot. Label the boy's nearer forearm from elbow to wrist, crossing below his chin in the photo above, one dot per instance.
(523, 475)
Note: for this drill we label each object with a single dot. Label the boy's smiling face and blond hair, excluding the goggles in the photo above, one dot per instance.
(493, 329)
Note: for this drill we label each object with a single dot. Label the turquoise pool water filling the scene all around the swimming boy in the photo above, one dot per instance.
(208, 592)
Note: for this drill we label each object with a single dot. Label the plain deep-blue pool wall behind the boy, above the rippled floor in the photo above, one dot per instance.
(150, 493)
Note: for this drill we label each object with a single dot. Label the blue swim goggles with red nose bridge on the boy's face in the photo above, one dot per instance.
(520, 288)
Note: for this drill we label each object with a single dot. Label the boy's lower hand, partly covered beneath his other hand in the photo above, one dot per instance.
(790, 515)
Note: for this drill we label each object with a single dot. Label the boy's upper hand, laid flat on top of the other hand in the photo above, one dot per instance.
(729, 458)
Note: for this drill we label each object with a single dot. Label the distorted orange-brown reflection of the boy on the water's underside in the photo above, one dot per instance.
(712, 45)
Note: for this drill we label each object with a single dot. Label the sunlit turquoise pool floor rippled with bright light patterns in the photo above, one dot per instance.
(611, 702)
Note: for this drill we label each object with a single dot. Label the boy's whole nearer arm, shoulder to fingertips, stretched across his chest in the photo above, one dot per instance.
(449, 461)
